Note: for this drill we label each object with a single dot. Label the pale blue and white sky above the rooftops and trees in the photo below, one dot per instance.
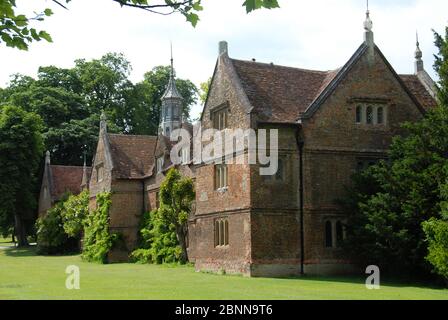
(318, 34)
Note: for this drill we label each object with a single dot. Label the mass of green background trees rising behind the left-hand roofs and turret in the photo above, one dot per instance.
(70, 102)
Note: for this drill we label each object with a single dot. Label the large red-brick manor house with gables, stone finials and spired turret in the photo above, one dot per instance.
(330, 124)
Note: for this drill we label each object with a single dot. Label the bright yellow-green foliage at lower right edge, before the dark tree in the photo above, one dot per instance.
(437, 236)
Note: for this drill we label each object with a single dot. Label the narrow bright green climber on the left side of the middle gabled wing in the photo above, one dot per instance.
(97, 239)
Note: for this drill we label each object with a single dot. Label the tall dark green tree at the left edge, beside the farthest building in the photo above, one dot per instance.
(21, 150)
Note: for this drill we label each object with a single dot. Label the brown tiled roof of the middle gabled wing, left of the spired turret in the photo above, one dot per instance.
(132, 156)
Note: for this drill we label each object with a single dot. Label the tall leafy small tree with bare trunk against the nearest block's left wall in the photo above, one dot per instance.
(176, 197)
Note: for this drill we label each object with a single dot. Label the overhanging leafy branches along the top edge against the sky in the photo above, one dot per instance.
(16, 30)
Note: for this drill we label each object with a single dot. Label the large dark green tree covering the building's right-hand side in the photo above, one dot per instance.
(390, 202)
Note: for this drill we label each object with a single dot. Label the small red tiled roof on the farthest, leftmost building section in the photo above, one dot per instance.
(66, 179)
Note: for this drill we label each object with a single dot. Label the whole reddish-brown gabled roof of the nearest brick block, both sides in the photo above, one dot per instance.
(284, 95)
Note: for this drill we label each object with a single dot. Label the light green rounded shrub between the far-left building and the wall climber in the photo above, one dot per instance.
(74, 214)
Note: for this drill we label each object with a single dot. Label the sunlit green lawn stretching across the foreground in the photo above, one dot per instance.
(23, 275)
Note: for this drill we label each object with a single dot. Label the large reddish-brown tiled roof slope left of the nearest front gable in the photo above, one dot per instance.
(280, 94)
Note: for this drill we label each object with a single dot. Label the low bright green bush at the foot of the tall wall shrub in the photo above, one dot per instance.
(158, 241)
